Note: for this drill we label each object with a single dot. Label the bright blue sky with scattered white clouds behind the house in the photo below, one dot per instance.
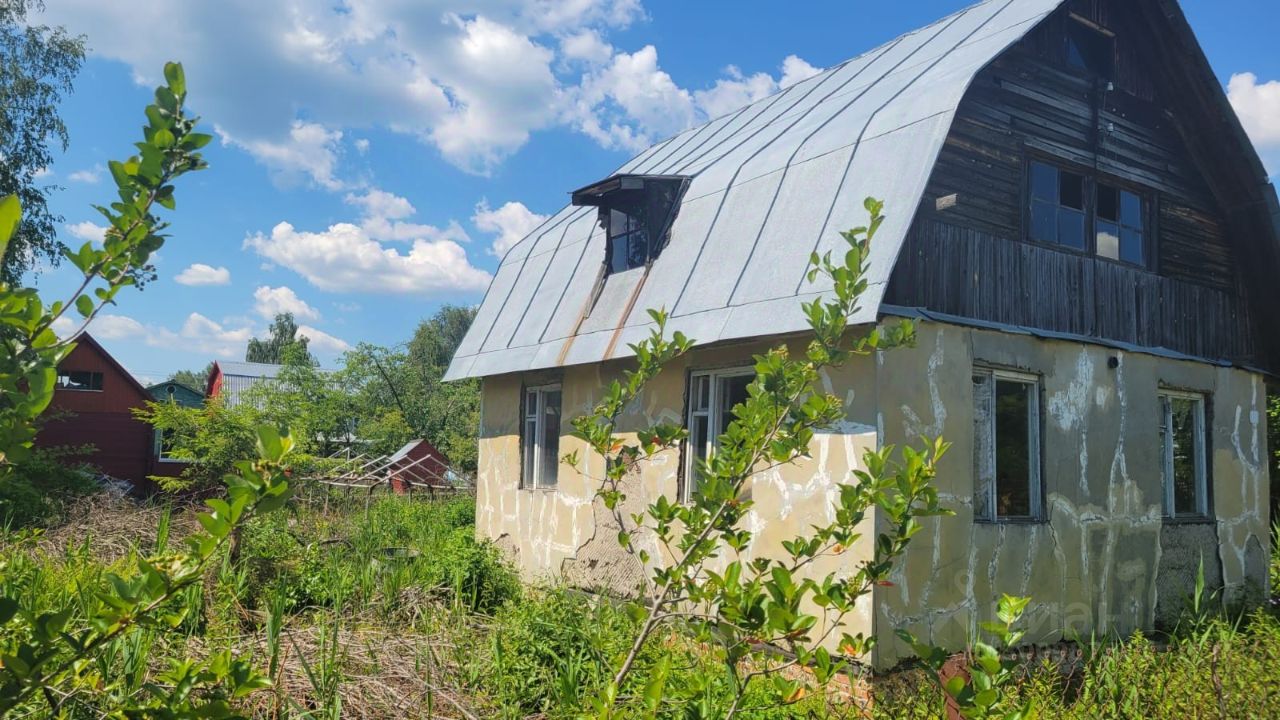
(376, 157)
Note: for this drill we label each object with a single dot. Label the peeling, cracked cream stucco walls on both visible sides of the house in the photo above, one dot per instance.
(1103, 560)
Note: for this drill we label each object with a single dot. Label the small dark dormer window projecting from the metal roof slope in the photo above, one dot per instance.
(637, 213)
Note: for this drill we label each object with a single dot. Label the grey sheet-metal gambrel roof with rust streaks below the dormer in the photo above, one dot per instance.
(771, 184)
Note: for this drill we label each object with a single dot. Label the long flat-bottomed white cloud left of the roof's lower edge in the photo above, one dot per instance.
(345, 258)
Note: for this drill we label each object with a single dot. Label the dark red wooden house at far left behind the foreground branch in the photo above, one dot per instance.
(94, 407)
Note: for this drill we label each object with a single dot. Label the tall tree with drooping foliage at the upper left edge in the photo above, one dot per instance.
(38, 66)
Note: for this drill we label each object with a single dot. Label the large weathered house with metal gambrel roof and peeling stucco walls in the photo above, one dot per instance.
(1089, 243)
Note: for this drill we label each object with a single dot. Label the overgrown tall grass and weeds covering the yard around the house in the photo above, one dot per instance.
(399, 612)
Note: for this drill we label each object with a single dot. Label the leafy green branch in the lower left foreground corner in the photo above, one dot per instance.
(49, 657)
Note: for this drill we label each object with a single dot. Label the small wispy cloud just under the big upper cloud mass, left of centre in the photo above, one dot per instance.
(309, 152)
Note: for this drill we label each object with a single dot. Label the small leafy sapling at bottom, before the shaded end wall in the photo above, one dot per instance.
(985, 690)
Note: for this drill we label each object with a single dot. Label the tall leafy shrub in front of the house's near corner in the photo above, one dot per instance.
(758, 616)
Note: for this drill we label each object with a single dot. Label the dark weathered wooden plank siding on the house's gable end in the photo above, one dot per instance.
(971, 259)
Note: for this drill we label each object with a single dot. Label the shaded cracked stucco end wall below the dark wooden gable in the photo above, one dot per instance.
(1104, 559)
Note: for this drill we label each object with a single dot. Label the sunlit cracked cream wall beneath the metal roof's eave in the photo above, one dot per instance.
(568, 535)
